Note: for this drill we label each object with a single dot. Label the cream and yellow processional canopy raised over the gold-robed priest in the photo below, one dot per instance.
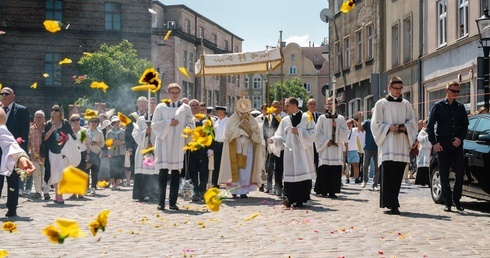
(239, 63)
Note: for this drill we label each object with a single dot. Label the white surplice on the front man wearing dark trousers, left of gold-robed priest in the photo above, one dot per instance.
(169, 143)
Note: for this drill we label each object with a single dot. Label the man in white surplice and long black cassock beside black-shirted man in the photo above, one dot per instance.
(394, 130)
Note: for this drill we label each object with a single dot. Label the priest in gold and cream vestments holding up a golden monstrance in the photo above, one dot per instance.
(242, 160)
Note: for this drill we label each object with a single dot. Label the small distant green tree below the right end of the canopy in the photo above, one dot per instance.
(291, 88)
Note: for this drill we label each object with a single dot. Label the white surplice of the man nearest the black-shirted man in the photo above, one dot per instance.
(393, 146)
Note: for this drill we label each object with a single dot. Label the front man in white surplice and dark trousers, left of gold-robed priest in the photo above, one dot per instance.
(168, 122)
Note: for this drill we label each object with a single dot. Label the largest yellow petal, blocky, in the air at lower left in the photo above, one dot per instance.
(73, 181)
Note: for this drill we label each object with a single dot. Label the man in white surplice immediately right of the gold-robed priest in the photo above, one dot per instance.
(297, 131)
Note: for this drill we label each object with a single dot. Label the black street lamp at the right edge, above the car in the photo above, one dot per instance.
(483, 23)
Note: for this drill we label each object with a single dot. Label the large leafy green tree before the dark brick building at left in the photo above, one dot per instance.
(120, 68)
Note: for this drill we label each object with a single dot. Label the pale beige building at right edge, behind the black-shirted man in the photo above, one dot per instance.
(452, 47)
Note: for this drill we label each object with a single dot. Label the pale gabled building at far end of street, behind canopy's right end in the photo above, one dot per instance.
(309, 65)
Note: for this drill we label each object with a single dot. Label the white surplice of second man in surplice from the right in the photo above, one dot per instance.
(333, 155)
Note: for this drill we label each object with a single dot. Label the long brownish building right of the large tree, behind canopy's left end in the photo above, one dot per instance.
(192, 34)
